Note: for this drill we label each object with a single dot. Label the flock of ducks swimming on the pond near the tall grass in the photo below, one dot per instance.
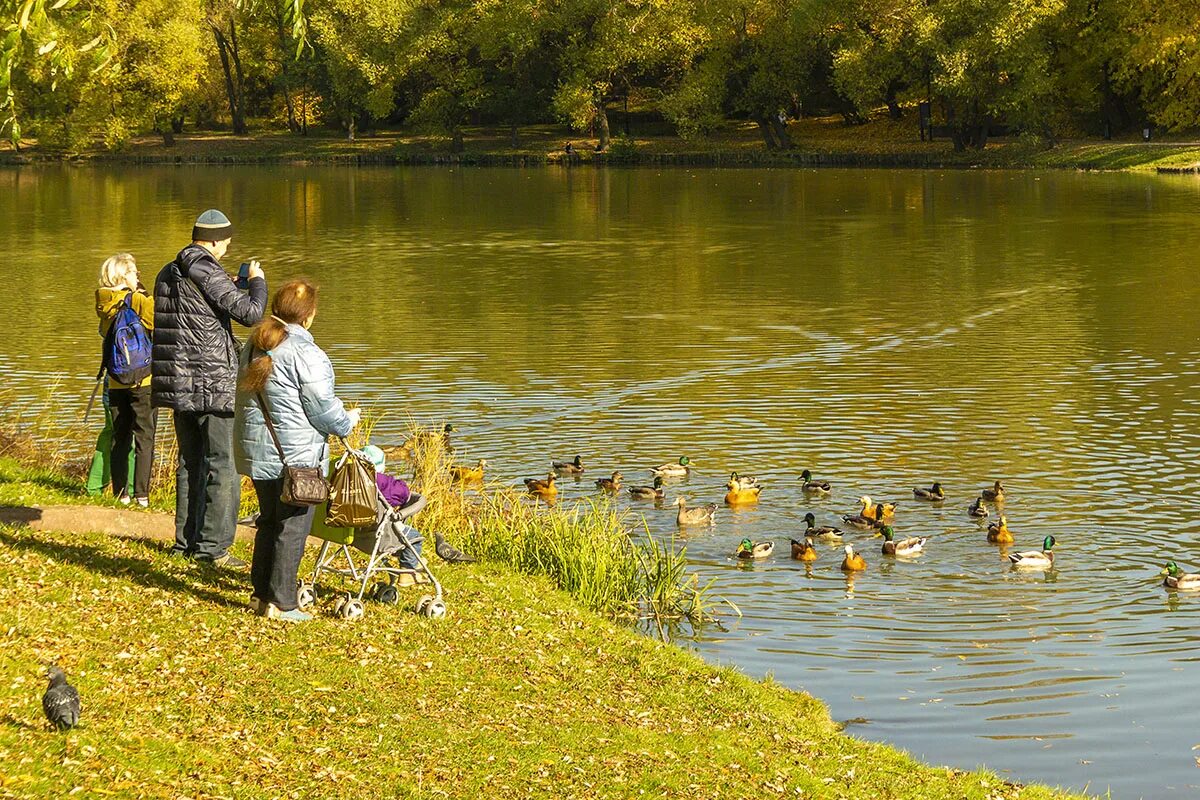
(745, 490)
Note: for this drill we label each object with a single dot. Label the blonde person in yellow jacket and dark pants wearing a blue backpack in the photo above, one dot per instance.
(134, 419)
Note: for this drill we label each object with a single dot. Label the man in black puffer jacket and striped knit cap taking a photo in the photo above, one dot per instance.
(196, 376)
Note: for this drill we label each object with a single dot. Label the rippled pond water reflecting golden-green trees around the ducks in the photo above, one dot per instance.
(885, 329)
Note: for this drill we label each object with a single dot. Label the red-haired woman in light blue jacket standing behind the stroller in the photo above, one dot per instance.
(284, 366)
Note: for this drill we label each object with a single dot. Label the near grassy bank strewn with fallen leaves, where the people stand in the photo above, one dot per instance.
(520, 693)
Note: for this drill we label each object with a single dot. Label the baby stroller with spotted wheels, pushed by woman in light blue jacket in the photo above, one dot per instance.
(392, 538)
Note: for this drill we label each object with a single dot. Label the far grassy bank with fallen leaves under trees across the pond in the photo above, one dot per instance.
(818, 142)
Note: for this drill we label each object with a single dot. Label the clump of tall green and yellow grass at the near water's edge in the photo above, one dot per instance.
(602, 556)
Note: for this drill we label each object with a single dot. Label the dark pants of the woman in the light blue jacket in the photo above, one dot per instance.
(279, 546)
